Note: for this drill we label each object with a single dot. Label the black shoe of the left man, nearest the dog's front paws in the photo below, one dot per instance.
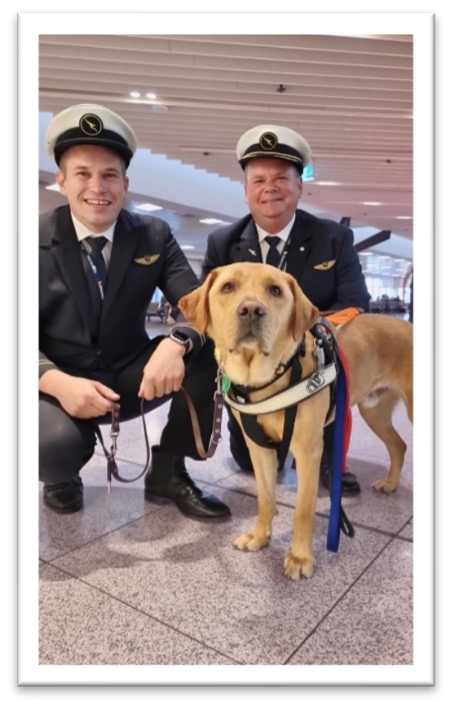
(168, 479)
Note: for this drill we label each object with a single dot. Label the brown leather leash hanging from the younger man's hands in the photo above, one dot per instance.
(112, 469)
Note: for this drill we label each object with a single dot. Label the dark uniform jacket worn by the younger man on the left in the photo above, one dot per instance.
(144, 256)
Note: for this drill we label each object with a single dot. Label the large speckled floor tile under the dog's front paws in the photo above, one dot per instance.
(187, 574)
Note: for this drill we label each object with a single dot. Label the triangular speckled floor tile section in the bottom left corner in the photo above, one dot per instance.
(80, 625)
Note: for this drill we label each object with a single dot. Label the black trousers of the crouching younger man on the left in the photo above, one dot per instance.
(66, 443)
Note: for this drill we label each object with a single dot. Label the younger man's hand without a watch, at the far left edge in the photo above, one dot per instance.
(80, 398)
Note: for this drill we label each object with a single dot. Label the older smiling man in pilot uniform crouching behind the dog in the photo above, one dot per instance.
(319, 253)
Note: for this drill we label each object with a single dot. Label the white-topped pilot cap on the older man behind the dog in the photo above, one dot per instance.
(274, 141)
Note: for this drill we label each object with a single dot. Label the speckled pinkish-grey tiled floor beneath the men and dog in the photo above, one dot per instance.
(129, 582)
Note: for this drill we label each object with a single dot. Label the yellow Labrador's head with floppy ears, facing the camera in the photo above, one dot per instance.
(254, 313)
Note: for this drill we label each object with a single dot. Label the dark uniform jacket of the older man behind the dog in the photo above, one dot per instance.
(321, 257)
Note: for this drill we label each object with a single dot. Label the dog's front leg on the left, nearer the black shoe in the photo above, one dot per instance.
(265, 471)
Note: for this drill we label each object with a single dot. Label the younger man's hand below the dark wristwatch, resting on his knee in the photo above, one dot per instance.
(164, 371)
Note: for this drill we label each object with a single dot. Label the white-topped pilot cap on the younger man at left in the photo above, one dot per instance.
(89, 124)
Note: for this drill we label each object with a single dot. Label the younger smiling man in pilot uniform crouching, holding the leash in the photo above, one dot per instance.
(99, 267)
